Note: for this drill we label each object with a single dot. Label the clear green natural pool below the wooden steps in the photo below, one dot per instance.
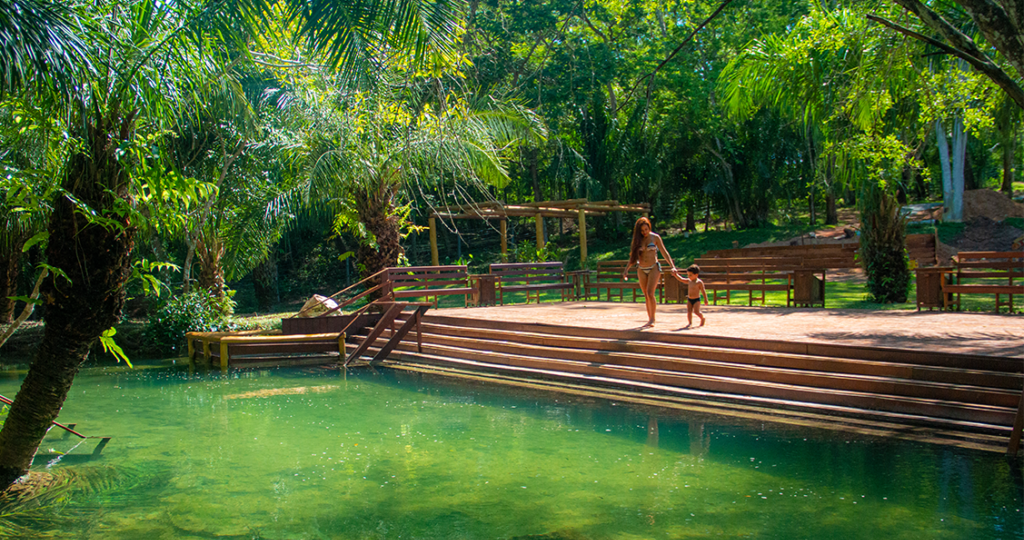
(312, 454)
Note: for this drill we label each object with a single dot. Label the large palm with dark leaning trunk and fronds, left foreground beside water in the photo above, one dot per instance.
(148, 61)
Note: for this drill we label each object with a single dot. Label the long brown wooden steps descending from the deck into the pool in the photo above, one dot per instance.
(962, 396)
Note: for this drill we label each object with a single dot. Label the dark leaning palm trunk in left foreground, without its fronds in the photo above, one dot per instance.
(97, 261)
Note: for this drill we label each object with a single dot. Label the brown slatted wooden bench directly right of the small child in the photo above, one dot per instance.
(793, 275)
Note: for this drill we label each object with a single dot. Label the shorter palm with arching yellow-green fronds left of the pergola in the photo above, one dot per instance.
(378, 148)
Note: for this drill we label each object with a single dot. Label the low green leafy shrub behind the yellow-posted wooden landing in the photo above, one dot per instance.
(196, 312)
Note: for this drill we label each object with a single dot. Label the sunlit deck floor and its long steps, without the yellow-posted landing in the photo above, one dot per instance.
(949, 380)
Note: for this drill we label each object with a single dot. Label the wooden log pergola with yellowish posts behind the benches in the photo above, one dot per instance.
(576, 209)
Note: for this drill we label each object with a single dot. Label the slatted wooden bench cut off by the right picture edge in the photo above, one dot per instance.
(986, 273)
